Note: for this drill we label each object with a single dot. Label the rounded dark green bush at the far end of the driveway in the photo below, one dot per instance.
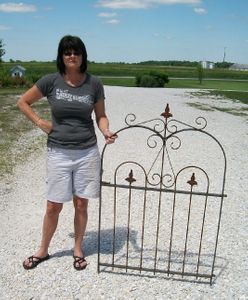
(151, 79)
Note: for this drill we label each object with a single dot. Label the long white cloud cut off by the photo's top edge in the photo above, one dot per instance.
(141, 4)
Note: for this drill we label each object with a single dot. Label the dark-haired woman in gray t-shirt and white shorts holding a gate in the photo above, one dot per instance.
(73, 160)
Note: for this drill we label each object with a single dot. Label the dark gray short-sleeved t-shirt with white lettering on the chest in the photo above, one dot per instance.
(71, 108)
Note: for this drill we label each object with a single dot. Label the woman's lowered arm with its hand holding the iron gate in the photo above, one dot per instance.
(103, 122)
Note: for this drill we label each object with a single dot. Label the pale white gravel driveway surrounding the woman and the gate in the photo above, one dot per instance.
(23, 202)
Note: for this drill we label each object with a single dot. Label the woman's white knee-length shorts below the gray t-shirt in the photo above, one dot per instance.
(72, 172)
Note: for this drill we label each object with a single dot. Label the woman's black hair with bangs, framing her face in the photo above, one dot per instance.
(71, 44)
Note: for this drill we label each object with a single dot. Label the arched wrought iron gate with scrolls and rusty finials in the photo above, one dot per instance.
(161, 199)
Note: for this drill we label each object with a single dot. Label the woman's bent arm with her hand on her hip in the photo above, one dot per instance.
(25, 102)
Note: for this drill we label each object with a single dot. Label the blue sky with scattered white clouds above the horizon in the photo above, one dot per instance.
(128, 30)
